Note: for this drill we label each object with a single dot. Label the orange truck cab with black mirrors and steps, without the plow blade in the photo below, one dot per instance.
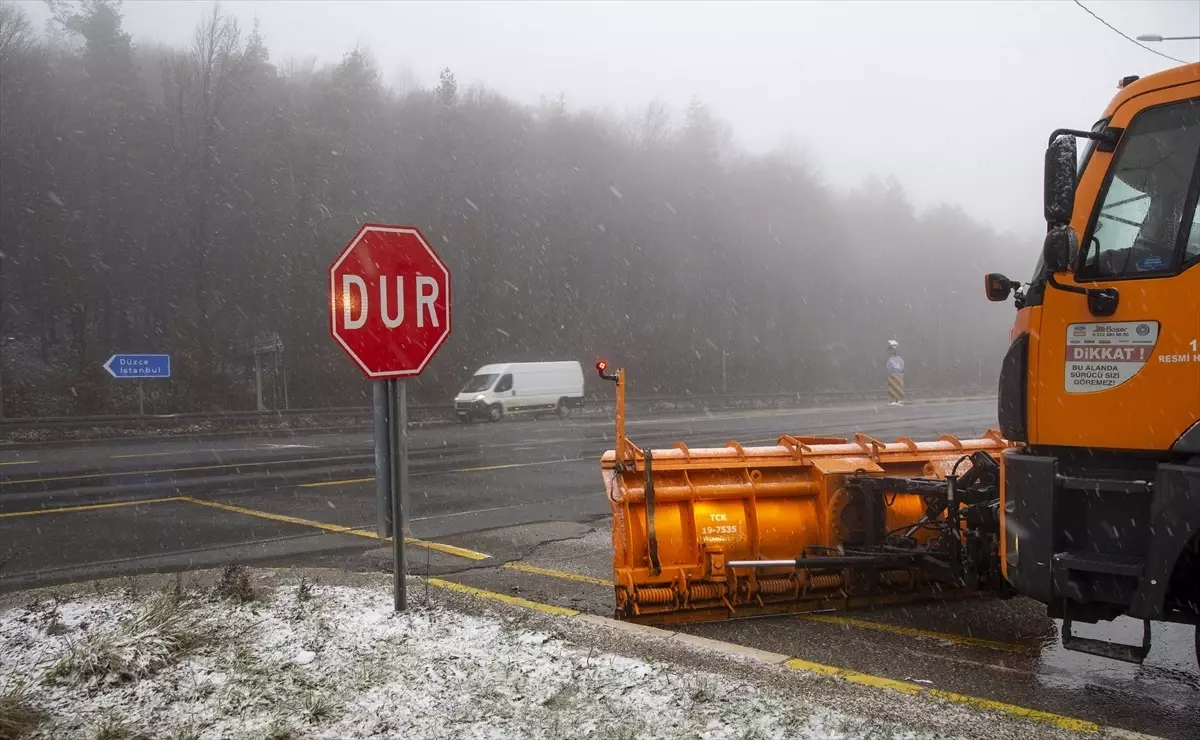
(1101, 386)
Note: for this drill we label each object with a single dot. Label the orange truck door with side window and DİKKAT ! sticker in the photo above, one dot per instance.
(1130, 381)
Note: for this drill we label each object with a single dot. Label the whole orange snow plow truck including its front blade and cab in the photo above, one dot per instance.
(1088, 498)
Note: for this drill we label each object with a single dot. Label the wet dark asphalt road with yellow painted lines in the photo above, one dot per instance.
(519, 508)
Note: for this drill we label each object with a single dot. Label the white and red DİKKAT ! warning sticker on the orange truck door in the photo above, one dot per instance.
(1105, 356)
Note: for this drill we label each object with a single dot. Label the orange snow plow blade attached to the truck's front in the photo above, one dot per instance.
(806, 525)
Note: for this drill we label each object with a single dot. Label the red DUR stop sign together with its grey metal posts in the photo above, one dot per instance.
(389, 310)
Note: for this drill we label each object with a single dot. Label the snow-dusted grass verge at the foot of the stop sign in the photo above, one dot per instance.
(334, 661)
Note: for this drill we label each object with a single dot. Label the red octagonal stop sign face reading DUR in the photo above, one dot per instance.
(389, 302)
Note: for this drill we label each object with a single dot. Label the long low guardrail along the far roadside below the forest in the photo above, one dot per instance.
(425, 412)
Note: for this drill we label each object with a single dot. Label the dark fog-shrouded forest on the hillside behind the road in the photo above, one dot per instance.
(189, 201)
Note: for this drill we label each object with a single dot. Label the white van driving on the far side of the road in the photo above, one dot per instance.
(521, 388)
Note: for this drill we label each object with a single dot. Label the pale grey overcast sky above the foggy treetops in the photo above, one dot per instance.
(956, 100)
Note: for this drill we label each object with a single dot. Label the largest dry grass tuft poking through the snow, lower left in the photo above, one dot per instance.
(134, 649)
